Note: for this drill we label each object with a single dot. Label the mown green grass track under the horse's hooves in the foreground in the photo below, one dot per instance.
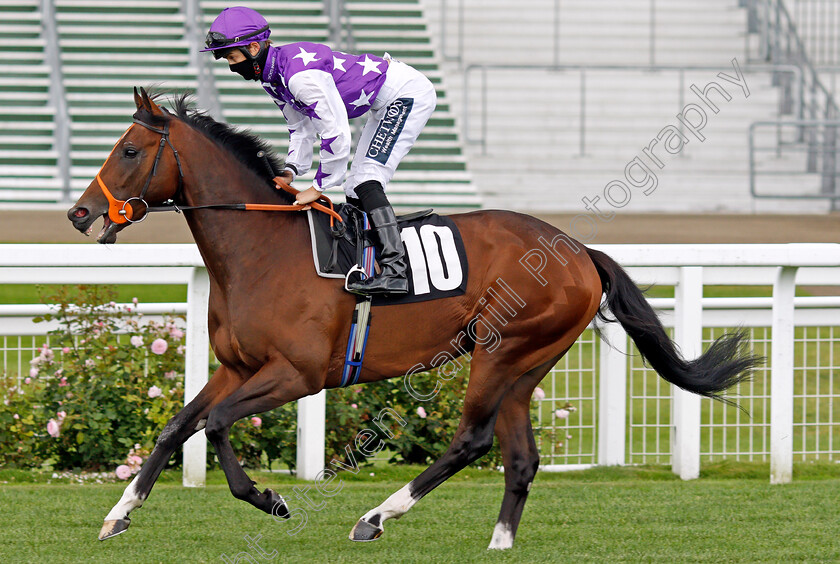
(602, 515)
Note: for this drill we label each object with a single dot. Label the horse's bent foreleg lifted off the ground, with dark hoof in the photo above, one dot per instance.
(275, 384)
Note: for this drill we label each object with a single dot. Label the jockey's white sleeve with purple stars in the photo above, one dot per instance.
(322, 103)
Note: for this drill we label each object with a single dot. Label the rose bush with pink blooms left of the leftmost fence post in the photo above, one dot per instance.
(87, 401)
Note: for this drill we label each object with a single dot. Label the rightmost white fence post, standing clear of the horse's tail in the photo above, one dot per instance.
(781, 378)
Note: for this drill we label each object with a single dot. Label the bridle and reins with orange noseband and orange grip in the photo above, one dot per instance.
(120, 211)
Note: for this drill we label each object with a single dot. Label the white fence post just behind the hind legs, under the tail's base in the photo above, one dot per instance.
(612, 405)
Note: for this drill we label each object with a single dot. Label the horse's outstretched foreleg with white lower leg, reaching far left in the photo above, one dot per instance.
(181, 427)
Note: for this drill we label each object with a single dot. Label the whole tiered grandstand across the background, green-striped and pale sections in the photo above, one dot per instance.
(560, 96)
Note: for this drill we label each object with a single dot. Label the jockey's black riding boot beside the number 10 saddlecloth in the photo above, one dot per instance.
(392, 278)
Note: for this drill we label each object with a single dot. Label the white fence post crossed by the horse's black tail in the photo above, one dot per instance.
(685, 406)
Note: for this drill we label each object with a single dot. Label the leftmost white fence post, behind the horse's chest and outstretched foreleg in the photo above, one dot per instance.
(195, 371)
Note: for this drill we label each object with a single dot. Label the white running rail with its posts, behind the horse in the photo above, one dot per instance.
(686, 267)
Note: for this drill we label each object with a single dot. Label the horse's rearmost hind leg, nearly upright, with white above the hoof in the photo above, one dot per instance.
(519, 453)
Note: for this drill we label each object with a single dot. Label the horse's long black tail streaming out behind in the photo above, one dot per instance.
(723, 365)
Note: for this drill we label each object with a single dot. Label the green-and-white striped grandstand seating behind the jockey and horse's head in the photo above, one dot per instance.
(109, 46)
